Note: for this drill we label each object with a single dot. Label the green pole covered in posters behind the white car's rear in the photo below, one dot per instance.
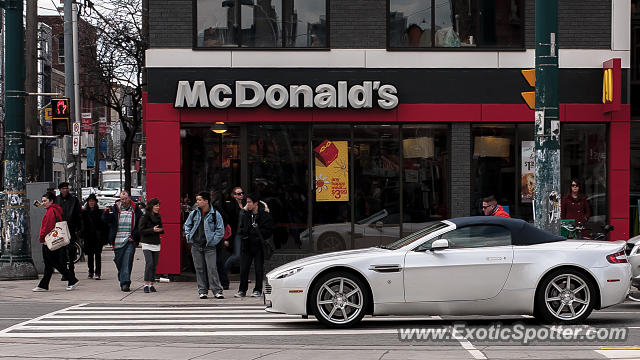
(547, 124)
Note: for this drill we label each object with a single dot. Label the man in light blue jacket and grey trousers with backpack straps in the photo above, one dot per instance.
(204, 229)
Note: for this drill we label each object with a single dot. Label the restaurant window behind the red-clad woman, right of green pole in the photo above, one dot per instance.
(583, 156)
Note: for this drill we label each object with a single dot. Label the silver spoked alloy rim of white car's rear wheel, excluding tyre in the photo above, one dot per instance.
(567, 296)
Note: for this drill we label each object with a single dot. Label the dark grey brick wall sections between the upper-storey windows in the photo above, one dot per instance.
(584, 24)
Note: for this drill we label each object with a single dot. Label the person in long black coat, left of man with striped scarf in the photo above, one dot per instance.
(94, 235)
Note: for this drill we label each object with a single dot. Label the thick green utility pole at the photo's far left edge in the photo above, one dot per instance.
(16, 262)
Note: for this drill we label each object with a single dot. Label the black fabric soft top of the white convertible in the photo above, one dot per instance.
(522, 233)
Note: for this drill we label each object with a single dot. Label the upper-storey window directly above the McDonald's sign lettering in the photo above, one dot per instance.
(261, 23)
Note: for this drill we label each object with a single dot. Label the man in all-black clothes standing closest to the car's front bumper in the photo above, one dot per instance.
(255, 227)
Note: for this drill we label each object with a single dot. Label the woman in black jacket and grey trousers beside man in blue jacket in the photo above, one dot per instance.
(150, 231)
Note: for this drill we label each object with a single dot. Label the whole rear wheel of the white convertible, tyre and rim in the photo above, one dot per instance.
(565, 296)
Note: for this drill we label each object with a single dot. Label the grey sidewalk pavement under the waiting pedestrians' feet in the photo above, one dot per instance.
(107, 290)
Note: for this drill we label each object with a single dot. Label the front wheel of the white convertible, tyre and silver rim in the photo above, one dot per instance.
(339, 299)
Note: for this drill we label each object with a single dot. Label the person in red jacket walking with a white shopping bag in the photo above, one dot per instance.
(52, 259)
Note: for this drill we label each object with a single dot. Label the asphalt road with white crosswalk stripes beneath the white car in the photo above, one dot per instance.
(141, 331)
